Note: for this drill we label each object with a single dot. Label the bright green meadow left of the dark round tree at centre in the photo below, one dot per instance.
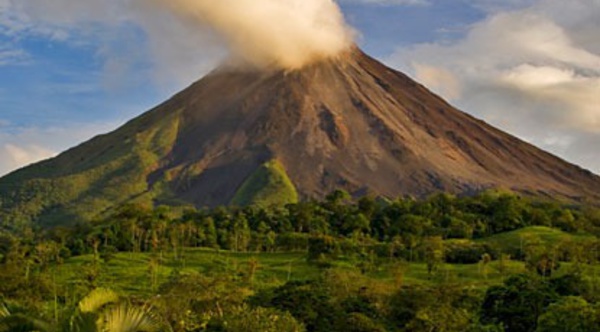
(130, 272)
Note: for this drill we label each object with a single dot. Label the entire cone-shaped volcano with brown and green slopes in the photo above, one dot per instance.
(347, 123)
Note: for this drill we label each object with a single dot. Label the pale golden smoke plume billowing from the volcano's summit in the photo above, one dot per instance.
(283, 33)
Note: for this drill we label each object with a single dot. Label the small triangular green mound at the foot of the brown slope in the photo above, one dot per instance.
(268, 185)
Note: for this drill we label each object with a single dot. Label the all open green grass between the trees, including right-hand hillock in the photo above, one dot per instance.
(131, 273)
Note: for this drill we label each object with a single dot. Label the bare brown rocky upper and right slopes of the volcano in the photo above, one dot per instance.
(355, 124)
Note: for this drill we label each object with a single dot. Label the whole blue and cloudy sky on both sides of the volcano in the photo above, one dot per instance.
(71, 69)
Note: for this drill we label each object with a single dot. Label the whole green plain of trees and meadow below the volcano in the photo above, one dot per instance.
(495, 262)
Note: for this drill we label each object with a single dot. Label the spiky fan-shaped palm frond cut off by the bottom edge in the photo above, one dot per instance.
(127, 318)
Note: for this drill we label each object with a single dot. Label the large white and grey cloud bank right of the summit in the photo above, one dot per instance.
(533, 71)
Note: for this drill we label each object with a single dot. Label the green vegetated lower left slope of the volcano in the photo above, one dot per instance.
(88, 181)
